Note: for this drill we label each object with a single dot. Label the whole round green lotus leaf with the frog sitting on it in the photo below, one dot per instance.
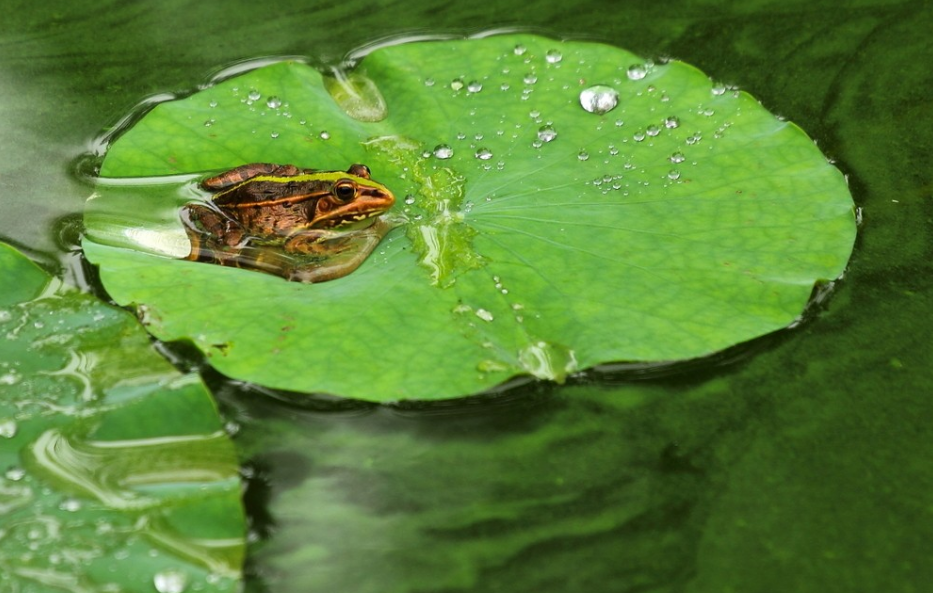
(542, 237)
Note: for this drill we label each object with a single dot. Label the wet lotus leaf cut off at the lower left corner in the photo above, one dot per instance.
(116, 475)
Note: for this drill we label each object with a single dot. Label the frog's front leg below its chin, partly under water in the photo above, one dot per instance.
(340, 252)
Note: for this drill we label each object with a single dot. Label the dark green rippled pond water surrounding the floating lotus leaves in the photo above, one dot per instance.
(801, 466)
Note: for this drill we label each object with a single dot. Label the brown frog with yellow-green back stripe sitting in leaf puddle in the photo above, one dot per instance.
(305, 225)
